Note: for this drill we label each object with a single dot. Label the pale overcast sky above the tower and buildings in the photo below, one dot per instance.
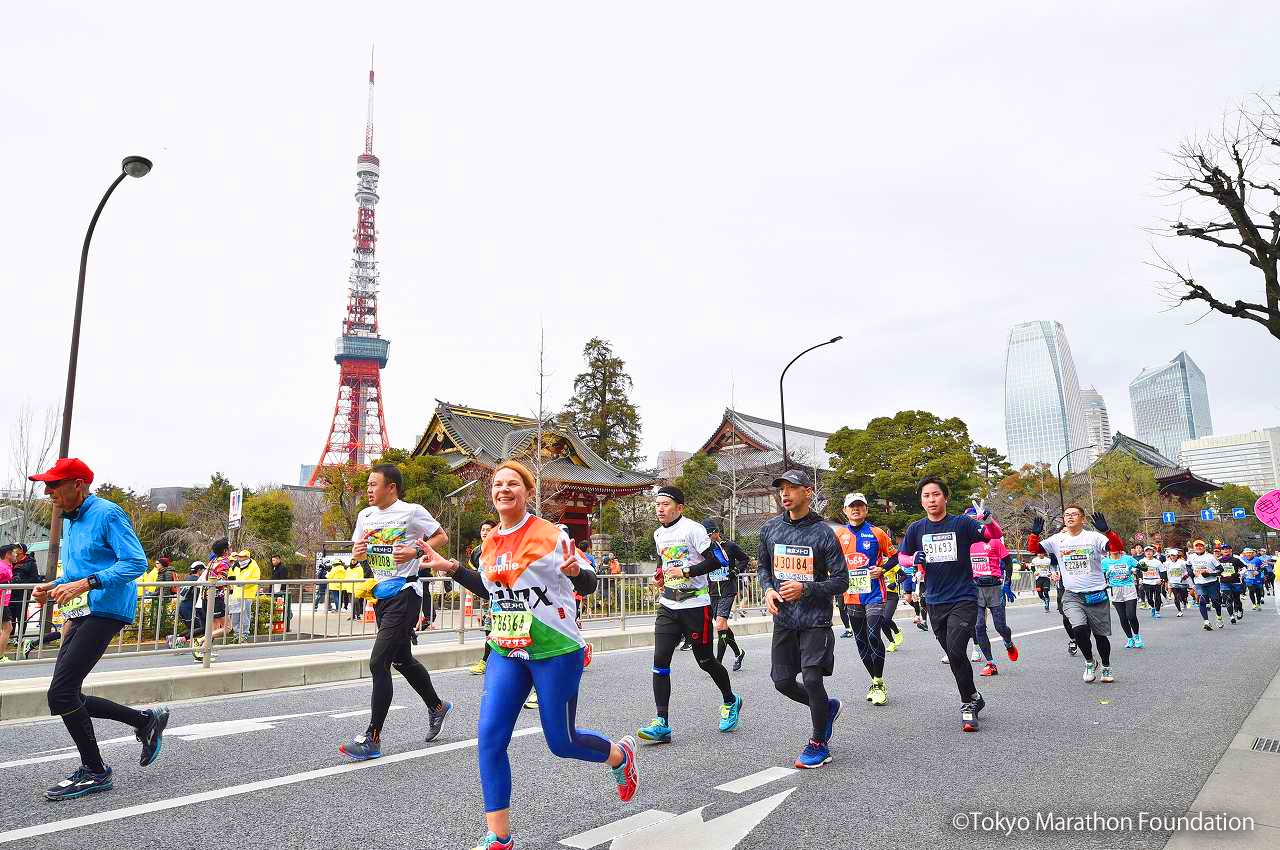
(712, 188)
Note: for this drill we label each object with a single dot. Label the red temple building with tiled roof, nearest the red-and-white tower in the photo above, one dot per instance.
(575, 479)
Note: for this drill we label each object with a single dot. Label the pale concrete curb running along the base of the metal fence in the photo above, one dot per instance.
(26, 698)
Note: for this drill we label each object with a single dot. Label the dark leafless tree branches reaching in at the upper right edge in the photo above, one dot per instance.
(1229, 182)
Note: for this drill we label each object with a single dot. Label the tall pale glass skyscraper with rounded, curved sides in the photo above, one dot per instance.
(1044, 412)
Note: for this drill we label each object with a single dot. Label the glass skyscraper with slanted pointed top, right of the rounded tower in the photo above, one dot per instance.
(1171, 405)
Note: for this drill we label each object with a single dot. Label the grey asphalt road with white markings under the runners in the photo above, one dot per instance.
(263, 770)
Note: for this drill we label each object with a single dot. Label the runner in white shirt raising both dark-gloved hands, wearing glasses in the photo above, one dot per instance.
(1085, 589)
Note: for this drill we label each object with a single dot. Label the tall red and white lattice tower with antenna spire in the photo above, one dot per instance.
(359, 431)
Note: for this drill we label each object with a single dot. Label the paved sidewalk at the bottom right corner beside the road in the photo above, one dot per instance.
(1245, 783)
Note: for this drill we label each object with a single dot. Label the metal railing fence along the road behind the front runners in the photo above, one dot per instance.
(173, 616)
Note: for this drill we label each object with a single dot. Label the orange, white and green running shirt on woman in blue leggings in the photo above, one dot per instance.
(531, 601)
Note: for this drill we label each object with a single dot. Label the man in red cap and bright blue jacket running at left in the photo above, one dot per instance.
(98, 597)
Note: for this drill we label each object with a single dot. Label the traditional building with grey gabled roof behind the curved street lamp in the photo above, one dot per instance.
(748, 450)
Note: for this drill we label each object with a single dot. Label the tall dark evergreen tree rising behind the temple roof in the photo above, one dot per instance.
(601, 410)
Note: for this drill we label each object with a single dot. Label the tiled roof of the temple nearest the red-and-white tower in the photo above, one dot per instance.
(470, 436)
